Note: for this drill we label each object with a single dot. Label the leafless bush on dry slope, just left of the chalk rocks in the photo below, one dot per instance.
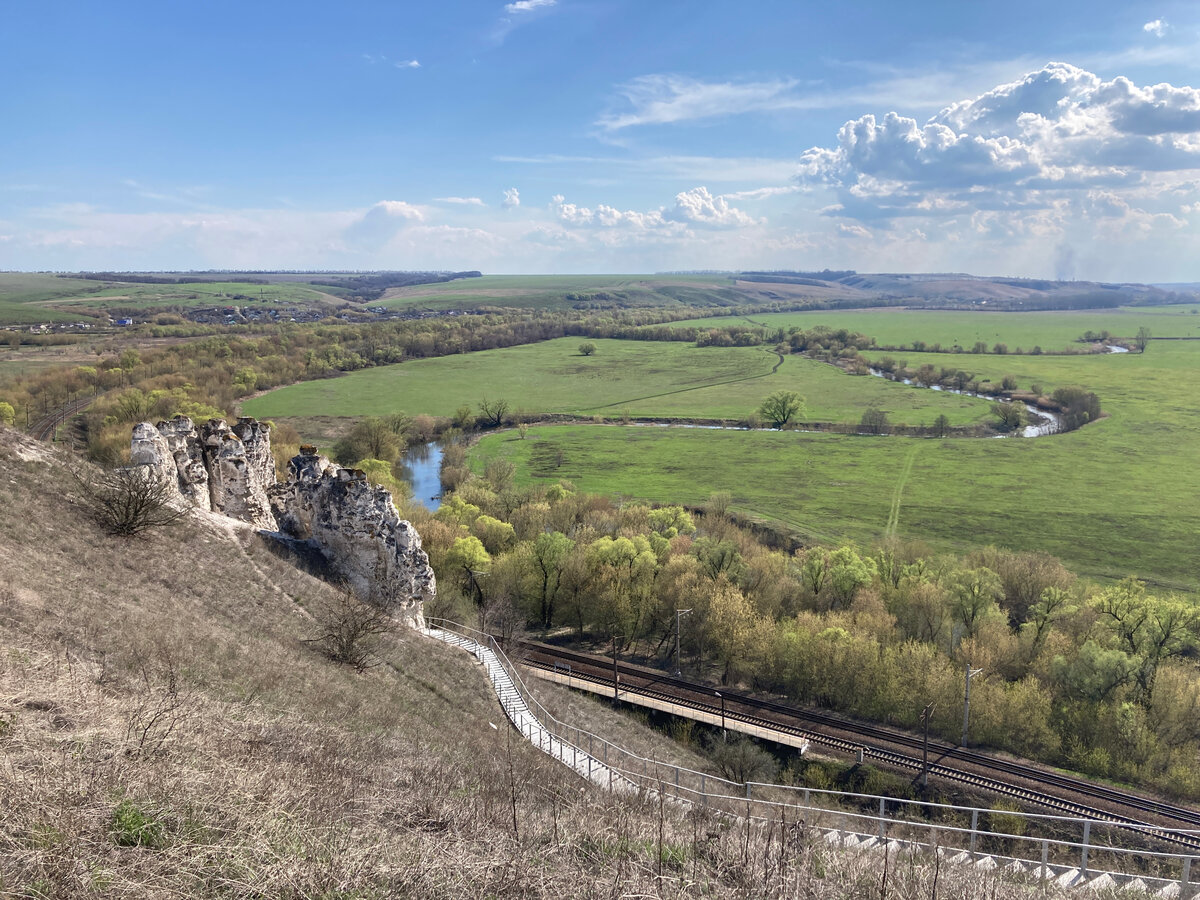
(131, 500)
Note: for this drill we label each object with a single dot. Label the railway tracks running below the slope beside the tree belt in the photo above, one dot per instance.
(1030, 784)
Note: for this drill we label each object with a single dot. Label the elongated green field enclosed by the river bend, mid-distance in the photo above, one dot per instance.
(641, 379)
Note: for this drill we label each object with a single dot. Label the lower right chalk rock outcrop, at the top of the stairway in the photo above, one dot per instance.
(357, 527)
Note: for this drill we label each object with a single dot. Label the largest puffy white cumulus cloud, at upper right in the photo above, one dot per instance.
(1030, 145)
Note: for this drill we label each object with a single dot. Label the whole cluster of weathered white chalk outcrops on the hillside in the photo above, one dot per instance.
(337, 512)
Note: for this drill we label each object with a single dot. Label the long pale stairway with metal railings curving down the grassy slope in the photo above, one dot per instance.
(1046, 845)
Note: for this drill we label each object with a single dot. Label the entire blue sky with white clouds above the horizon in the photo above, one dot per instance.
(604, 136)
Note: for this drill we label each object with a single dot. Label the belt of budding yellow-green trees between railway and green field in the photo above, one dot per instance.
(1097, 679)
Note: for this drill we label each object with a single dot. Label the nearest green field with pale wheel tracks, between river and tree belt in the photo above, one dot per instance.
(1117, 497)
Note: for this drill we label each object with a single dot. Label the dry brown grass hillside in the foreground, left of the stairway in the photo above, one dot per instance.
(166, 733)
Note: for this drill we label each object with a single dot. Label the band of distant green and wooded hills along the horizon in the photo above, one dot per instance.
(242, 297)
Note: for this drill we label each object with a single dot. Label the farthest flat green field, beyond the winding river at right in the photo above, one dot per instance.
(1049, 331)
